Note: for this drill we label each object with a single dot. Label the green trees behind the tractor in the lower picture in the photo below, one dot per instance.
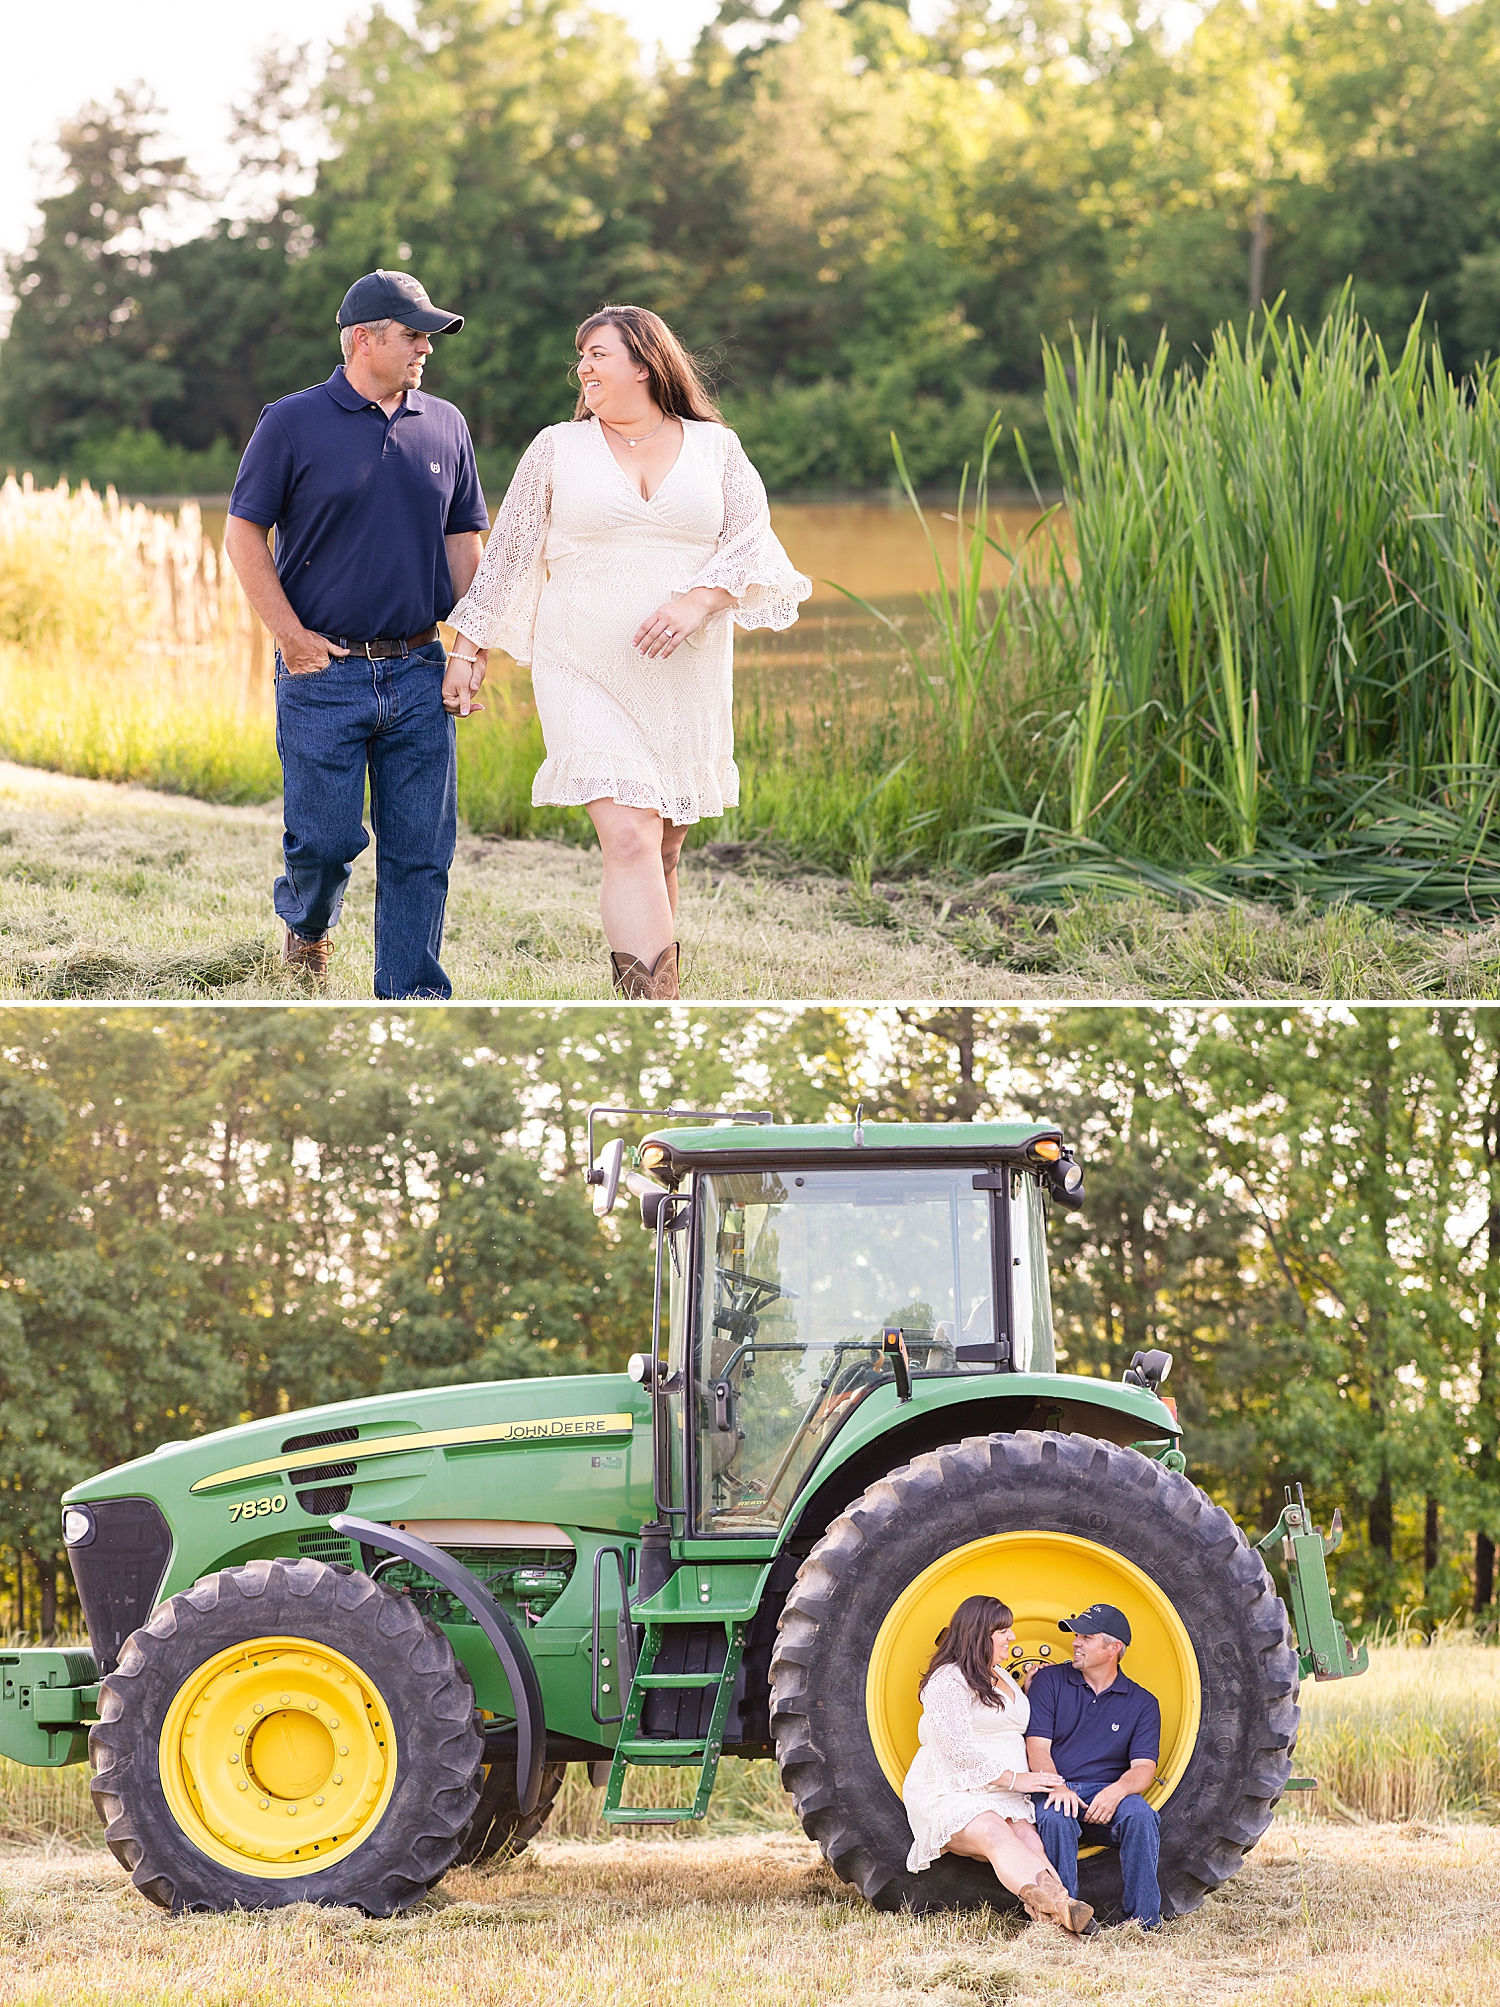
(218, 1215)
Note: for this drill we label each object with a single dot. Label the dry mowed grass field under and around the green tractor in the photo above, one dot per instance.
(1395, 1900)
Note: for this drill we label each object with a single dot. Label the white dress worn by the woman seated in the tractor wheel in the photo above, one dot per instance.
(965, 1747)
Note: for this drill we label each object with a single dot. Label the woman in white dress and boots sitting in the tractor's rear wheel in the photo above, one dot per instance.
(967, 1789)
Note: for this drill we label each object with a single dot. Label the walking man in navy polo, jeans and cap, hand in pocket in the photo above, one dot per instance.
(379, 531)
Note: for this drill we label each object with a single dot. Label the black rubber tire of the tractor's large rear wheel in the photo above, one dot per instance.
(1101, 1498)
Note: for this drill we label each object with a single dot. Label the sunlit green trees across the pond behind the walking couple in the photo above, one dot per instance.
(860, 224)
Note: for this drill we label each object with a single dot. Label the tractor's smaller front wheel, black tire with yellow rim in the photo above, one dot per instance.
(286, 1733)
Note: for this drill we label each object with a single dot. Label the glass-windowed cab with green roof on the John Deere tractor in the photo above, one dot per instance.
(808, 1269)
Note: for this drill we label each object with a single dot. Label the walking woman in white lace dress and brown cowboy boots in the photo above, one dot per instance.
(630, 545)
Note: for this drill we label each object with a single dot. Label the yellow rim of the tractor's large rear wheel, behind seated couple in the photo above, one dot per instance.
(1043, 1576)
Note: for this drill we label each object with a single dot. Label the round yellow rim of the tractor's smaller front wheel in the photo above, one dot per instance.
(278, 1757)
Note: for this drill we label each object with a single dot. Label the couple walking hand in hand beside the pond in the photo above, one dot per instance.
(630, 543)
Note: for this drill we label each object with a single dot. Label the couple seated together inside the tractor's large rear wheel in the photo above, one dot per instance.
(1019, 1775)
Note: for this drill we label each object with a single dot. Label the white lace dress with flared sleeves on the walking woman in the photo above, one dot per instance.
(575, 563)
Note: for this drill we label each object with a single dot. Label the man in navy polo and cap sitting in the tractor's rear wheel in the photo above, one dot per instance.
(1103, 1735)
